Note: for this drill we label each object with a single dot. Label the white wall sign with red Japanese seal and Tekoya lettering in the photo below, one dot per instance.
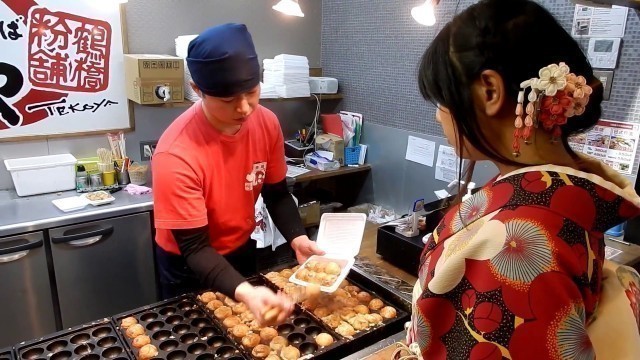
(63, 69)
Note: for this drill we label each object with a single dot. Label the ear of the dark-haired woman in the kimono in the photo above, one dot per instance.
(490, 93)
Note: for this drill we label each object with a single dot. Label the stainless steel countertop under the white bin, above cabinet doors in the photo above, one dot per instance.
(25, 214)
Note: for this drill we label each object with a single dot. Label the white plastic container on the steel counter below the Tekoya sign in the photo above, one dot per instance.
(42, 174)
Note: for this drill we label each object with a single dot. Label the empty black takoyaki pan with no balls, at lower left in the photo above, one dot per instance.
(94, 341)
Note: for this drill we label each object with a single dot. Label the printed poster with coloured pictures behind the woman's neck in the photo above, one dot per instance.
(613, 142)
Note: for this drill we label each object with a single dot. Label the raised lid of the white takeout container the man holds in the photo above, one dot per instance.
(340, 234)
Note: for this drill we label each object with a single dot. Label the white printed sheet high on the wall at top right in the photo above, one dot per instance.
(599, 22)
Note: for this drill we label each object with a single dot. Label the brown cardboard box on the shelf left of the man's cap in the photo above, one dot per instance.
(149, 77)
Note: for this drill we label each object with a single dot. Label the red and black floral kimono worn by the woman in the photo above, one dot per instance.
(516, 271)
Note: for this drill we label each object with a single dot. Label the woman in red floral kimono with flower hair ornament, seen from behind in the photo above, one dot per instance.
(518, 270)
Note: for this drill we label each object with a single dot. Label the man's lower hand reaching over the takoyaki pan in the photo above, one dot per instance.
(260, 299)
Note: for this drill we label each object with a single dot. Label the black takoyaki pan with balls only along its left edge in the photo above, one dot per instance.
(179, 329)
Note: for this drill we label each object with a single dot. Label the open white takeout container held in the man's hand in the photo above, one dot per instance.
(340, 236)
